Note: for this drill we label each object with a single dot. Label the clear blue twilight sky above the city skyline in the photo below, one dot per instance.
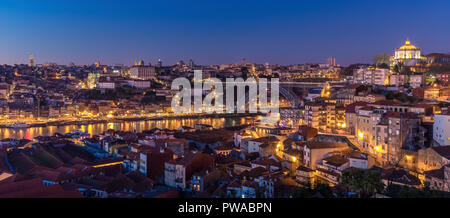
(218, 31)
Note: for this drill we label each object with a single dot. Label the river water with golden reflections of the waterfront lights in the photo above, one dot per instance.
(138, 126)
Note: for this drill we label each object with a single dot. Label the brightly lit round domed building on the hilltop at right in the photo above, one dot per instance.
(408, 54)
